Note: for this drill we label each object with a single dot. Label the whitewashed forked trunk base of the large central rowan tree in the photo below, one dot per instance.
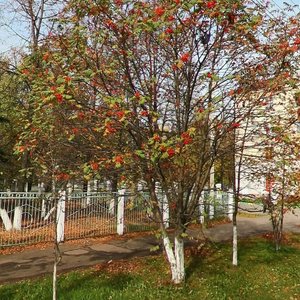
(175, 258)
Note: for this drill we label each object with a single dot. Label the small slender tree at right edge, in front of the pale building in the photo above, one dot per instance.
(275, 159)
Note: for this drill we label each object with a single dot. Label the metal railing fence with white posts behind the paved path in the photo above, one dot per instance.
(27, 218)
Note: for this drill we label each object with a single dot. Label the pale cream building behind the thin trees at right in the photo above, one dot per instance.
(265, 139)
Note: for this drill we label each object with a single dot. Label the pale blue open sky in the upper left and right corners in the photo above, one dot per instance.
(9, 33)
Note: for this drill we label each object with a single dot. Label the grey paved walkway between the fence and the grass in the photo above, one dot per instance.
(36, 262)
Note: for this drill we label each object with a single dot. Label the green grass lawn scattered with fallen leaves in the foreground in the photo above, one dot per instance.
(261, 274)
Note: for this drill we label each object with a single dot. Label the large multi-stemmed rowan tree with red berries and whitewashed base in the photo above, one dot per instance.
(154, 86)
